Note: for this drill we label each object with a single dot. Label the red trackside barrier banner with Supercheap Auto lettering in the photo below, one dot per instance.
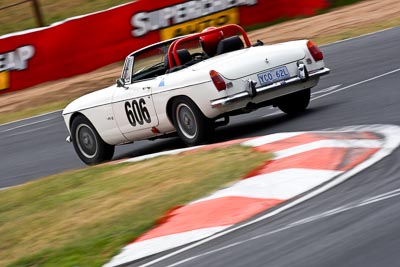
(83, 44)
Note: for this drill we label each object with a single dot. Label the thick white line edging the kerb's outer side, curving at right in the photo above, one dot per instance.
(391, 133)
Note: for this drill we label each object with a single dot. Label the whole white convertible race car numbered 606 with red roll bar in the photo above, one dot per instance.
(190, 85)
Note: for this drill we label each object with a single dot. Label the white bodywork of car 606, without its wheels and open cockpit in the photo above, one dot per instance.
(148, 101)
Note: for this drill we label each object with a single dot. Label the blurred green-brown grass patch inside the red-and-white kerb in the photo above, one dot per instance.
(82, 218)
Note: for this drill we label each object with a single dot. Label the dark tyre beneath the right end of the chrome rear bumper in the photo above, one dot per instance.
(295, 103)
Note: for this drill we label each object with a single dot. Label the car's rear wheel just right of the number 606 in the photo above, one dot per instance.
(192, 126)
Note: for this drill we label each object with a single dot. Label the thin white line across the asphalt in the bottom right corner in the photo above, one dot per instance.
(310, 219)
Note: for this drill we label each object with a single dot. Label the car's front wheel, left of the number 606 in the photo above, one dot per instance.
(88, 144)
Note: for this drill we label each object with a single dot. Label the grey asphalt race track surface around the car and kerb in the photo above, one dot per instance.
(363, 88)
